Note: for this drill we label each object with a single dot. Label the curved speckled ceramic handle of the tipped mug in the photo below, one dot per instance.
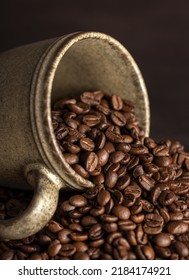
(41, 208)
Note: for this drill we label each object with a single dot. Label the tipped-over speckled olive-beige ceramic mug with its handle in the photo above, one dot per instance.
(32, 78)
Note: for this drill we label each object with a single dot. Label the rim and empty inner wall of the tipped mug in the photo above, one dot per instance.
(87, 61)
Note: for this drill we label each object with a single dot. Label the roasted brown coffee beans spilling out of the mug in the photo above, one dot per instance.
(139, 205)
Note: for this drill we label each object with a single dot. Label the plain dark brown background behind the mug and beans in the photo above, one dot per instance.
(156, 33)
